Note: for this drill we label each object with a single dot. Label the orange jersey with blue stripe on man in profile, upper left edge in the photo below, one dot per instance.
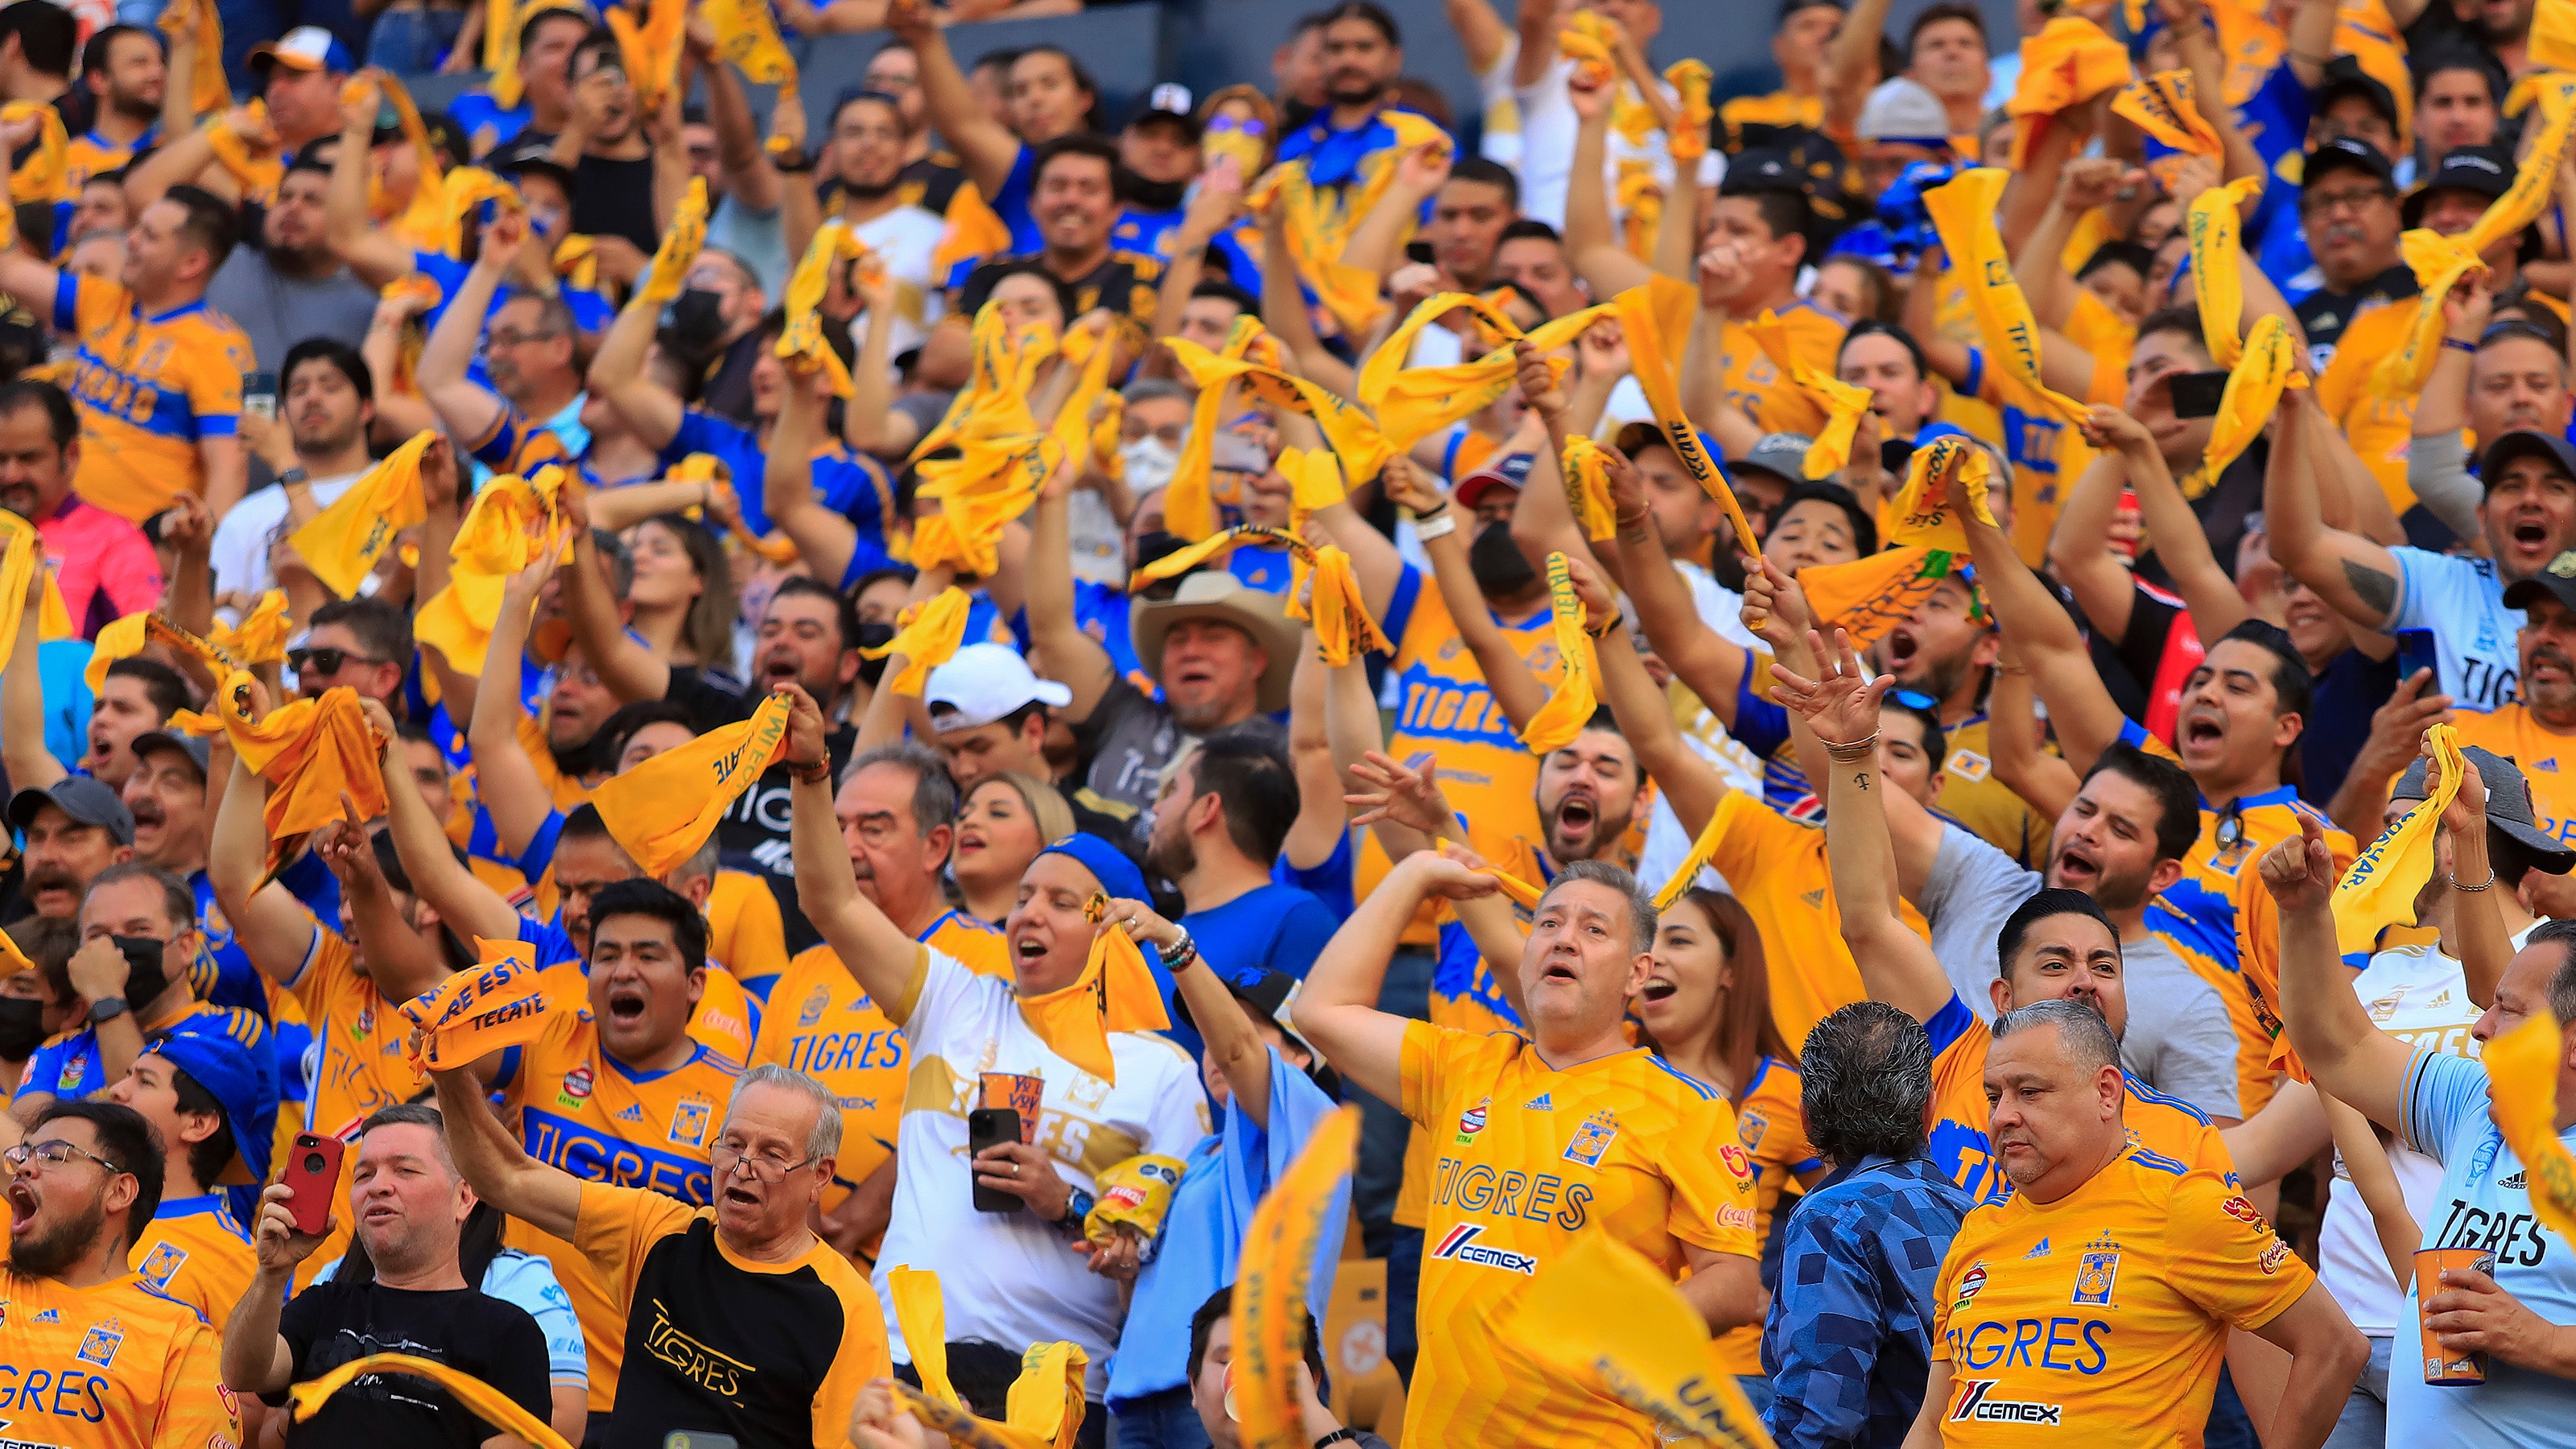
(151, 391)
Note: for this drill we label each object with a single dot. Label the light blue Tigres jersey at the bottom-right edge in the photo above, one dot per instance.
(2482, 1205)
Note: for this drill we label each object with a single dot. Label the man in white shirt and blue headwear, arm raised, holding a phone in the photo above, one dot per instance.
(1024, 1275)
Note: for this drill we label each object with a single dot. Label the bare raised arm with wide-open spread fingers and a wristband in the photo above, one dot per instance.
(1895, 963)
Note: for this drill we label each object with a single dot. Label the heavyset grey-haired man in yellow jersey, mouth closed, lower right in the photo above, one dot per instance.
(2098, 1298)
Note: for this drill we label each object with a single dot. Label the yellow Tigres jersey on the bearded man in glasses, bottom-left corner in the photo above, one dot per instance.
(109, 1368)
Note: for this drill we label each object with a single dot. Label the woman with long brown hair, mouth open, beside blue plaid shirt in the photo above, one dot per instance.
(1707, 1012)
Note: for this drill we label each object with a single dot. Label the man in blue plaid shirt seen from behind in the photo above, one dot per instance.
(1851, 1329)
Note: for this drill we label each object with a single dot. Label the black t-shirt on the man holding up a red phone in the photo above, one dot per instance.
(339, 1324)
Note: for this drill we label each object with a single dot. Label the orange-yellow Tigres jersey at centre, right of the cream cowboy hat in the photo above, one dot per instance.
(1444, 710)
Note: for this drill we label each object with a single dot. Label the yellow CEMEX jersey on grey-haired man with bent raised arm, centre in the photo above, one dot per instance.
(1529, 1159)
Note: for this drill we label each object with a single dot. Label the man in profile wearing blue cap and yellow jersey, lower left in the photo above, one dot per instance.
(202, 1097)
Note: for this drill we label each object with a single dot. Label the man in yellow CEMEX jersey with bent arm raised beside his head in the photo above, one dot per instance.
(1542, 1138)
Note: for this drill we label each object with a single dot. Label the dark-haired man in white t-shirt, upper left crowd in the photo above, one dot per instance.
(318, 450)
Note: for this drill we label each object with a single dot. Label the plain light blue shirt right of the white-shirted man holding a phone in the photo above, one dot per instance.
(1204, 1234)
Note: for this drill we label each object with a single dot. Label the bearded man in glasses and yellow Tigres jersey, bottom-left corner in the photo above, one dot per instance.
(97, 1357)
